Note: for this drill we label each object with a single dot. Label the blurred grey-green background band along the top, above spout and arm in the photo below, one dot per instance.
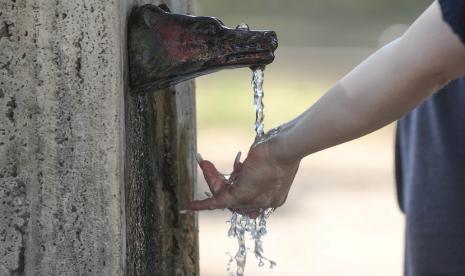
(317, 23)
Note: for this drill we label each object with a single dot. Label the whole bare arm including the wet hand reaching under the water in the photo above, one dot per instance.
(380, 90)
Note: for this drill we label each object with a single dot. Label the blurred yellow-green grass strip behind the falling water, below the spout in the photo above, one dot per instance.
(226, 99)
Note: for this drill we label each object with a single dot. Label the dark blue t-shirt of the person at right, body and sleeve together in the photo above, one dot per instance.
(430, 173)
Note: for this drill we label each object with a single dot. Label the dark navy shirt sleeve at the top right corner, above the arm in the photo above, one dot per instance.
(453, 12)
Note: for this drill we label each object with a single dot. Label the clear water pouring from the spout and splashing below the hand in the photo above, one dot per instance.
(240, 224)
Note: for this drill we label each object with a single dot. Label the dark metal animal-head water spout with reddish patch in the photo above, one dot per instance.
(167, 48)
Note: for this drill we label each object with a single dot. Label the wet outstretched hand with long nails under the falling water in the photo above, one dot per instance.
(260, 182)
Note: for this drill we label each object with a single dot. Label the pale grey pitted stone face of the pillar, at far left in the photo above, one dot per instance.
(61, 138)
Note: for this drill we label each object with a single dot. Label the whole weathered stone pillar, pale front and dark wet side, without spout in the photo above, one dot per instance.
(91, 176)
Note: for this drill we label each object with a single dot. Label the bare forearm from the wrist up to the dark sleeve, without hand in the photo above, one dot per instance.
(380, 90)
